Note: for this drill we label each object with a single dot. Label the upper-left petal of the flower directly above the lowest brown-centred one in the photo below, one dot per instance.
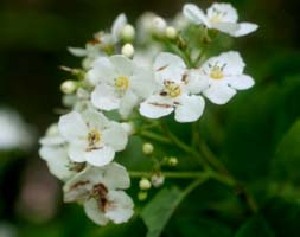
(71, 126)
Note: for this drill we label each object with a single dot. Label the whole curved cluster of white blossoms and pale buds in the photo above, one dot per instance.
(148, 70)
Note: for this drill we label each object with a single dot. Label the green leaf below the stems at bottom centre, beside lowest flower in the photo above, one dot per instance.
(157, 213)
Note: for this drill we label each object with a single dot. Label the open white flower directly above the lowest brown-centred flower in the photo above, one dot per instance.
(92, 137)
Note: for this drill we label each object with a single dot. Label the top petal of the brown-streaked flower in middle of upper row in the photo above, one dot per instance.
(168, 66)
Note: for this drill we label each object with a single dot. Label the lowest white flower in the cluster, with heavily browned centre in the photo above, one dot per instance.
(97, 188)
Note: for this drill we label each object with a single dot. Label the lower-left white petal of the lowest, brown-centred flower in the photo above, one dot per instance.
(92, 211)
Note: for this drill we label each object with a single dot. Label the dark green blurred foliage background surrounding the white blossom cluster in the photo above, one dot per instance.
(257, 135)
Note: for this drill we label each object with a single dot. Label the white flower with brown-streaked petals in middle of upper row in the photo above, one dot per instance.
(174, 93)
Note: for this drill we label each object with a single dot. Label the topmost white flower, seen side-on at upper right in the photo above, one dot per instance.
(220, 16)
